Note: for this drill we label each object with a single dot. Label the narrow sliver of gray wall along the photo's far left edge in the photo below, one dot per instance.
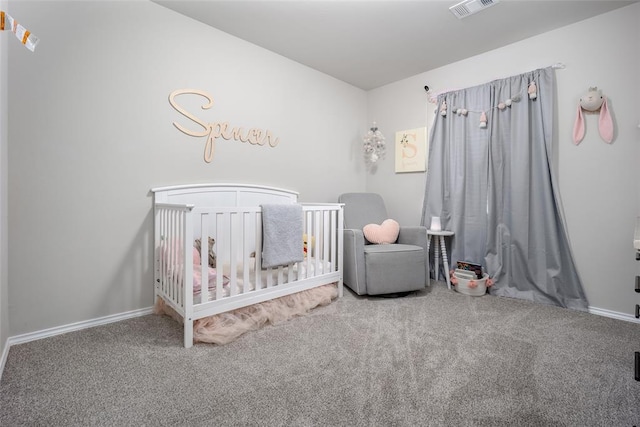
(4, 283)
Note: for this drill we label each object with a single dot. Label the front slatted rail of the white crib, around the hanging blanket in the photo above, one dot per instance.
(238, 241)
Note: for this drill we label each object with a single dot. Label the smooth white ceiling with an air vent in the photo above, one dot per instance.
(371, 43)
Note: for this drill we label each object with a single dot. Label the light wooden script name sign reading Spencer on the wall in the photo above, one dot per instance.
(215, 130)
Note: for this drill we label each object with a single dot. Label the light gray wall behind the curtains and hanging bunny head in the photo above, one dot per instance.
(599, 184)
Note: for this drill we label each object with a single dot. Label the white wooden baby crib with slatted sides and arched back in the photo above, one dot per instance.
(231, 214)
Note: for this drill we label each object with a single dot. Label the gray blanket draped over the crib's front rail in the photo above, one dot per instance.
(282, 234)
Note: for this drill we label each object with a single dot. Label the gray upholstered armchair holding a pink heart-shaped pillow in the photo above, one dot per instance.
(380, 269)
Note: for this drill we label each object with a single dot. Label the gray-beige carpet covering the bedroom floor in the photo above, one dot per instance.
(435, 358)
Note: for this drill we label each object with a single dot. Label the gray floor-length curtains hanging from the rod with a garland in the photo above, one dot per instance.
(495, 188)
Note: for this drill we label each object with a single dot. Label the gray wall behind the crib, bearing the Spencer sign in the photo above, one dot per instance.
(91, 132)
